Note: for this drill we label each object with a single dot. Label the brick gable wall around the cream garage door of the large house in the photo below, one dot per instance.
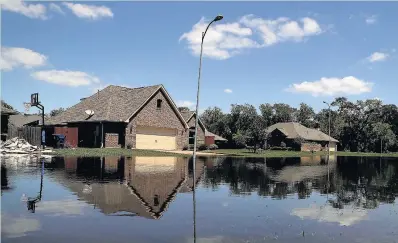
(151, 116)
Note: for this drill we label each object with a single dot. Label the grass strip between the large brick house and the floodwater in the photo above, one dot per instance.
(99, 152)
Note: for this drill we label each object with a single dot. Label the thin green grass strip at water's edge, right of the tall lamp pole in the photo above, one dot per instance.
(278, 153)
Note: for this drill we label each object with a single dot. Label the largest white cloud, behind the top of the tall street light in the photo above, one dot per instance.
(224, 40)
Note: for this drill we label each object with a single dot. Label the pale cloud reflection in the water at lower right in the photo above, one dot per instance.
(345, 217)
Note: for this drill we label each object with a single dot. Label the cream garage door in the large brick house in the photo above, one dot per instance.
(156, 138)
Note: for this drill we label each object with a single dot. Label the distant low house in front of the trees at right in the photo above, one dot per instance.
(289, 132)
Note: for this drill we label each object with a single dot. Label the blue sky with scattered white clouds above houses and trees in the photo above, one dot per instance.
(261, 52)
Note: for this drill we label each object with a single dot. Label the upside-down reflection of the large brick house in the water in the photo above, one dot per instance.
(131, 186)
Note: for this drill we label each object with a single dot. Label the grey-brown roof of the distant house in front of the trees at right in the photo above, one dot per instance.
(294, 130)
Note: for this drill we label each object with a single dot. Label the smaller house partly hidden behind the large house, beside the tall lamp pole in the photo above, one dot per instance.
(204, 136)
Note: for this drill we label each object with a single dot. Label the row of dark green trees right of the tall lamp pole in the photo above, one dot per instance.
(361, 126)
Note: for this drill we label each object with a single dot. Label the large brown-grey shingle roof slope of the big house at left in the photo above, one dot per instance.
(113, 103)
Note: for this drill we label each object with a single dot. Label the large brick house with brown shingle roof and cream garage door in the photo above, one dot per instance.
(142, 118)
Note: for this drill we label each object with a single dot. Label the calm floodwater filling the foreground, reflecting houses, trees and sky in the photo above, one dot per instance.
(151, 199)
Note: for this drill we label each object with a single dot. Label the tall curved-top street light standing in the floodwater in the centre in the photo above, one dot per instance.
(219, 17)
